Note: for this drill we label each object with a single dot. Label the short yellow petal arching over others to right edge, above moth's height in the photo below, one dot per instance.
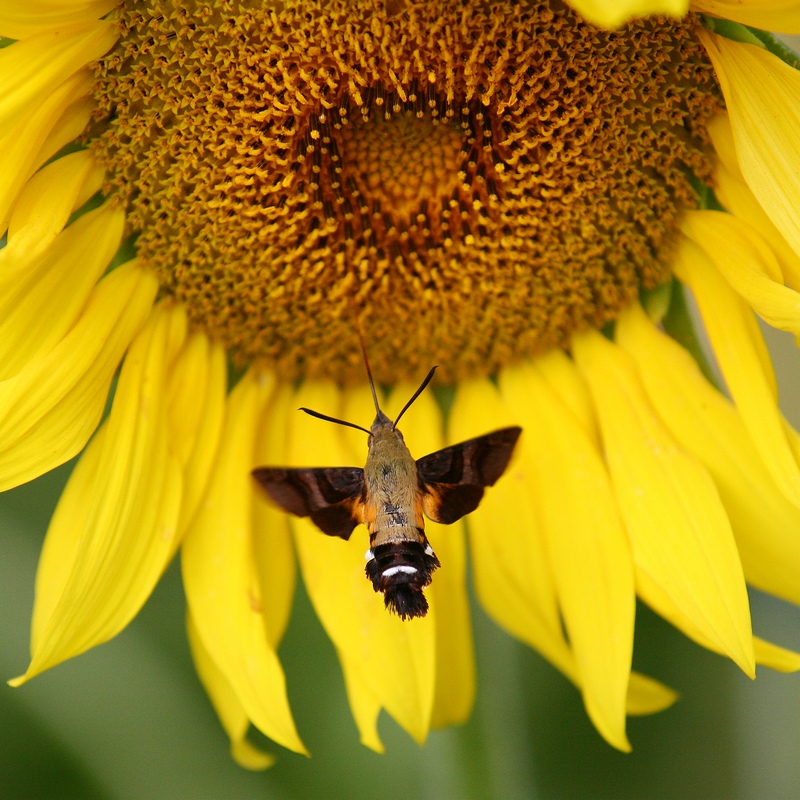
(748, 264)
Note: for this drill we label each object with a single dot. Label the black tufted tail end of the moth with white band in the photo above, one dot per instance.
(400, 571)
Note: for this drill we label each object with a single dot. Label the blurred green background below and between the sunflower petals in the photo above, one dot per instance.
(130, 720)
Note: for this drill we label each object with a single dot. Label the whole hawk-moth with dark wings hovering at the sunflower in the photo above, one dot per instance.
(390, 496)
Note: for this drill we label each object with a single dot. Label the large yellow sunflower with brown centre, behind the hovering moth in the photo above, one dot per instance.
(204, 200)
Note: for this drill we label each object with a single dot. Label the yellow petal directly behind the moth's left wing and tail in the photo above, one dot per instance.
(394, 660)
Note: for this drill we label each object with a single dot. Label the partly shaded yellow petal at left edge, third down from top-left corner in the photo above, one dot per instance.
(38, 134)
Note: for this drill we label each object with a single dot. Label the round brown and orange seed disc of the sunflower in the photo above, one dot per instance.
(473, 182)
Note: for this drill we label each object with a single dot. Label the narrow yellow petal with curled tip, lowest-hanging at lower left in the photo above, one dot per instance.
(230, 711)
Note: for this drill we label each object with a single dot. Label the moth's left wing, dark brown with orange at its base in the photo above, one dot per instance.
(332, 497)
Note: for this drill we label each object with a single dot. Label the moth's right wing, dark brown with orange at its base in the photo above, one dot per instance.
(453, 479)
